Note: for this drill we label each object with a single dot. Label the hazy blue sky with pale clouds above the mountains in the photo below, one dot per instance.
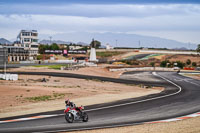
(172, 19)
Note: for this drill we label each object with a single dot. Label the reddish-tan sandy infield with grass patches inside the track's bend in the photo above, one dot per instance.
(21, 97)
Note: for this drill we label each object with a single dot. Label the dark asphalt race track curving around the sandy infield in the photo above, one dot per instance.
(180, 97)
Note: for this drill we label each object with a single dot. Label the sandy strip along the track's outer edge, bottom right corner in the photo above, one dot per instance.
(184, 126)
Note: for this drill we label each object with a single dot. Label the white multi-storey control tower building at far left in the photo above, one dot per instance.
(29, 40)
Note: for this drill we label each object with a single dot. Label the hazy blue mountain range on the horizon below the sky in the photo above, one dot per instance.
(124, 40)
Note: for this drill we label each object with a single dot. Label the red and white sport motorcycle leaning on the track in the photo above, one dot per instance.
(78, 113)
